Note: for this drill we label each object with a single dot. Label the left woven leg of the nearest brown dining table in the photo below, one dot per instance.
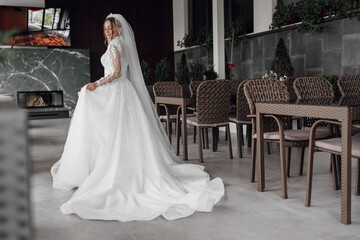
(260, 151)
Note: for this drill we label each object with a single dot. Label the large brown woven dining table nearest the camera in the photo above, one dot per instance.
(344, 114)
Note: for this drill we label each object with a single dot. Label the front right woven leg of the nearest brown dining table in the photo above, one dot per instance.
(346, 171)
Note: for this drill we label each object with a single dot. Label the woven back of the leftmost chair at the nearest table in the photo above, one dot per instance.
(268, 91)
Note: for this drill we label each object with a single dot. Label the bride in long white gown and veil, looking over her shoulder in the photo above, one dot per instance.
(117, 154)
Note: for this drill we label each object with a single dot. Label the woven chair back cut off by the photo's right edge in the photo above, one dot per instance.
(350, 89)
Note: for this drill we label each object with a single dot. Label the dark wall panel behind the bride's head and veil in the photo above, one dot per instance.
(151, 21)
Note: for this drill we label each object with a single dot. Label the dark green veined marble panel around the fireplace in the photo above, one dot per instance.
(43, 70)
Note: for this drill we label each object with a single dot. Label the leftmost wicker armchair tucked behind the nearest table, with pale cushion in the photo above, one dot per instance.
(274, 91)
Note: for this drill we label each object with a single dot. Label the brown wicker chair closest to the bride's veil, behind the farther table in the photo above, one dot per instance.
(168, 113)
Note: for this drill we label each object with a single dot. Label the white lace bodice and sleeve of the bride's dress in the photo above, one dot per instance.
(110, 62)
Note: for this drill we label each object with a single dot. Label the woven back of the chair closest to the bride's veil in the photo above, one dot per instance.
(168, 89)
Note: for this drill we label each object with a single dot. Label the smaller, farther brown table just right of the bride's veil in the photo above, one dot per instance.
(183, 102)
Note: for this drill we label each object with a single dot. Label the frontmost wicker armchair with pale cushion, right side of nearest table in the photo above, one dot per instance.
(333, 146)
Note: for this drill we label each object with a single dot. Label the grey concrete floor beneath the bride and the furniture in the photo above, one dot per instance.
(243, 213)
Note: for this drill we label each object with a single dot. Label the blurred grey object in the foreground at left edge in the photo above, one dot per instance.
(15, 221)
